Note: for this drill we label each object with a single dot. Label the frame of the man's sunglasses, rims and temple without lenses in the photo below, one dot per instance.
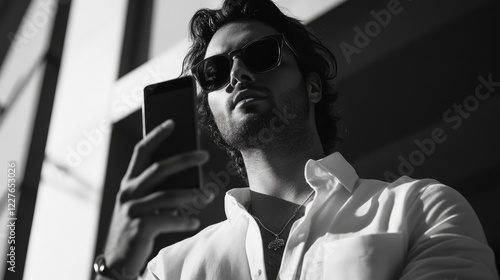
(279, 38)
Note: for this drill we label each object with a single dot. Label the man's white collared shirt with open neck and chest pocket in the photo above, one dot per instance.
(352, 229)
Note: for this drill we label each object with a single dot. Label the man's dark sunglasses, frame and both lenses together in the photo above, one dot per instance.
(260, 55)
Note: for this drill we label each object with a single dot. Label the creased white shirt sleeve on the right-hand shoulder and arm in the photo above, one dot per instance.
(446, 239)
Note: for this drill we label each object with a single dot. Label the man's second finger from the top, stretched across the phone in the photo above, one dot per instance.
(155, 173)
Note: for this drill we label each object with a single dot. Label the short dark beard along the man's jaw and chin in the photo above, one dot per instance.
(280, 127)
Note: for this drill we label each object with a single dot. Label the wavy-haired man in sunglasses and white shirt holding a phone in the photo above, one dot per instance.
(306, 213)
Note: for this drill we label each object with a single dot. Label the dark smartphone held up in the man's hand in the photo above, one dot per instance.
(174, 99)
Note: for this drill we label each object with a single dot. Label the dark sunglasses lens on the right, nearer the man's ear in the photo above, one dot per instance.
(262, 55)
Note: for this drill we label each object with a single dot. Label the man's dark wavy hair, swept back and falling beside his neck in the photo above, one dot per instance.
(314, 56)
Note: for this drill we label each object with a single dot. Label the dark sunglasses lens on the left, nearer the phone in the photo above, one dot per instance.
(213, 72)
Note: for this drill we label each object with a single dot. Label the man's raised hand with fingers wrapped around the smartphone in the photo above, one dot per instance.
(140, 214)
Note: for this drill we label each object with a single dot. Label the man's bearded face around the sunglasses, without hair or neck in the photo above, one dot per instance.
(280, 89)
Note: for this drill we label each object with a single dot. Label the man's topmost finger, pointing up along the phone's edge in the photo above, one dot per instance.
(146, 146)
